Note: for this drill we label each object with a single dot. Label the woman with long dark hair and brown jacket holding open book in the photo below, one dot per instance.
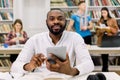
(109, 28)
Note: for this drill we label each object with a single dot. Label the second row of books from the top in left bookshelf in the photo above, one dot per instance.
(6, 16)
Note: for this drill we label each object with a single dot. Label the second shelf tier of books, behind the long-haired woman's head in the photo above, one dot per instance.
(95, 12)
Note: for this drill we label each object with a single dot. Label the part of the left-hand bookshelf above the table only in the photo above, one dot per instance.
(6, 18)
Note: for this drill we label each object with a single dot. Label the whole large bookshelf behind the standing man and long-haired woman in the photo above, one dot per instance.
(93, 9)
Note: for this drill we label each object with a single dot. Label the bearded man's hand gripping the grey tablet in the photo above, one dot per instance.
(62, 66)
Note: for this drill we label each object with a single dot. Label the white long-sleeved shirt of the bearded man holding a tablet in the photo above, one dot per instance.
(76, 48)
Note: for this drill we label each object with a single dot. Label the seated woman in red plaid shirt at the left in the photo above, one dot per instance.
(16, 36)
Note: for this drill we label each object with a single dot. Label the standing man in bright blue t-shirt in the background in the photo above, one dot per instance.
(81, 23)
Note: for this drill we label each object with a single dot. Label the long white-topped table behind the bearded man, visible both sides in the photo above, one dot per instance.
(93, 49)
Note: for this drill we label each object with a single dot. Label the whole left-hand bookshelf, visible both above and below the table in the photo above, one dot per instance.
(6, 20)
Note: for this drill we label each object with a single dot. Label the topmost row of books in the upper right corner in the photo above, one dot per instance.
(103, 2)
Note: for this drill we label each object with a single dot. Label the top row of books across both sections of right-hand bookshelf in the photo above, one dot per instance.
(90, 2)
